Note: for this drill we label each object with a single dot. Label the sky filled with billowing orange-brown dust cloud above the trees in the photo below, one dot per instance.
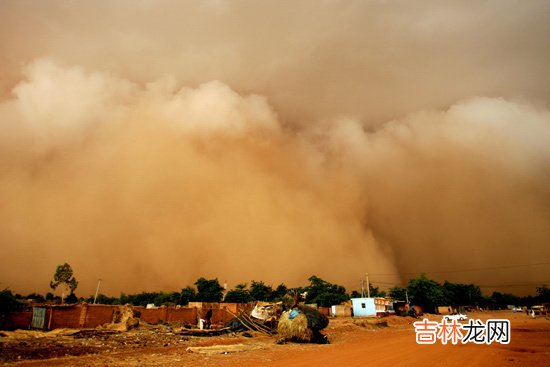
(150, 143)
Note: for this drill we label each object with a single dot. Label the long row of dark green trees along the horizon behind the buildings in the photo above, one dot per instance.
(421, 291)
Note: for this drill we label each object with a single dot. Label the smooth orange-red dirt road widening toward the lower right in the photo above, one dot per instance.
(354, 343)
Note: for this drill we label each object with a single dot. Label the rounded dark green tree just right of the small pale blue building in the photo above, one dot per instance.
(426, 293)
